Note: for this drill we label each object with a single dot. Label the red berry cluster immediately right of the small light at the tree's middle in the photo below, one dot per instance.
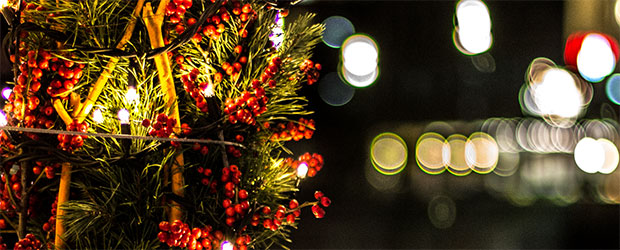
(246, 107)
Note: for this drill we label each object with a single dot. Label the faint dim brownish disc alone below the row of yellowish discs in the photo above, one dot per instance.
(442, 212)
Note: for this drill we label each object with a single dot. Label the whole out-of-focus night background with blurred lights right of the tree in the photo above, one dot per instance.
(463, 138)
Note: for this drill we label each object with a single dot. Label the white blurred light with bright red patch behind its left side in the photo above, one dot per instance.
(595, 60)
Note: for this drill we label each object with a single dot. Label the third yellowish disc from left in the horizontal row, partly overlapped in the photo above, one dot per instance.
(454, 155)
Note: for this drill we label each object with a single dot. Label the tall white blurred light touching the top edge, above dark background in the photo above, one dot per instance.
(472, 35)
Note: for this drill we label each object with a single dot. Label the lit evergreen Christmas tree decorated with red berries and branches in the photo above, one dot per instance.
(150, 124)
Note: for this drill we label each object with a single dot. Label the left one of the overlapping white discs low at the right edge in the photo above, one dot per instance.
(589, 155)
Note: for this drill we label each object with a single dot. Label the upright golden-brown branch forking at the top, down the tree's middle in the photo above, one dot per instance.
(154, 22)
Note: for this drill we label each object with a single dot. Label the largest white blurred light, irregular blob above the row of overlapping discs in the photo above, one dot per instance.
(557, 94)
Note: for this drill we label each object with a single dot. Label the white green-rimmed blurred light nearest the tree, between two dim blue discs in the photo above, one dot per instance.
(360, 55)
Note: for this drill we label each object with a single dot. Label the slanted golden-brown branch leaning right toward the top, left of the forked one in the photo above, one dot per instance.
(83, 109)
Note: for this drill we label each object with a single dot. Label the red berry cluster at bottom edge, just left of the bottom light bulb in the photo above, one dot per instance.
(179, 234)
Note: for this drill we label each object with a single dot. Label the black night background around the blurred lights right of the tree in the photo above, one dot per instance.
(423, 79)
